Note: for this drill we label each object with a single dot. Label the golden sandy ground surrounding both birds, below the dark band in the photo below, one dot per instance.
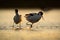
(52, 18)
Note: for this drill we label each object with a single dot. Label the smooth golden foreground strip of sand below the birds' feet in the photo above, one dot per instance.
(44, 34)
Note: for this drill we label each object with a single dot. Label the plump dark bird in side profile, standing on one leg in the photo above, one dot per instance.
(33, 17)
